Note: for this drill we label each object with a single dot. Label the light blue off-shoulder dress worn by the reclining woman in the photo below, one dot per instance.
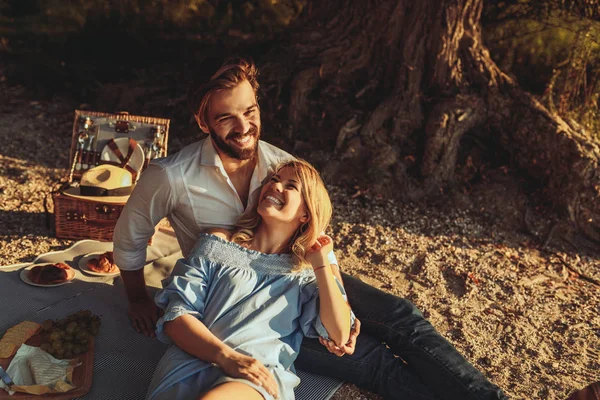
(251, 301)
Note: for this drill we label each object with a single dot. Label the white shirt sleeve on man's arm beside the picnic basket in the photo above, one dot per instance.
(151, 200)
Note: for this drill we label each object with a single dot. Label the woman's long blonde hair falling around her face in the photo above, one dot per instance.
(318, 206)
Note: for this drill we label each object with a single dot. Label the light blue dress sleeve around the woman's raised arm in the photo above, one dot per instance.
(310, 320)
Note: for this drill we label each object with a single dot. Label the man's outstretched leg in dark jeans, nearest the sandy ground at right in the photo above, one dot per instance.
(399, 324)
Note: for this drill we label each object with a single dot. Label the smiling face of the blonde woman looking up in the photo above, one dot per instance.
(281, 198)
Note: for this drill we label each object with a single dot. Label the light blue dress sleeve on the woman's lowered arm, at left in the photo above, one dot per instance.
(184, 292)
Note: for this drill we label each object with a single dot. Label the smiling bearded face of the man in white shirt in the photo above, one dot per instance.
(234, 122)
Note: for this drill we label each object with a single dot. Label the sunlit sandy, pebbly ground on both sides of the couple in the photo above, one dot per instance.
(512, 287)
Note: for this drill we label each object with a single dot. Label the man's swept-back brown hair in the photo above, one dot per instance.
(233, 72)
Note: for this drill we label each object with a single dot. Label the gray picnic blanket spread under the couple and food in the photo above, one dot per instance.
(124, 360)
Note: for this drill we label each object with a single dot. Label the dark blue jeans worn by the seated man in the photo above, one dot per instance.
(429, 367)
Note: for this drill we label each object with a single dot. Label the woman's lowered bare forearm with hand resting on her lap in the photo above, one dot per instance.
(192, 336)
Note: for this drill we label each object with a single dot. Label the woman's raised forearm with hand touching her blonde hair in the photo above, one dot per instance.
(334, 310)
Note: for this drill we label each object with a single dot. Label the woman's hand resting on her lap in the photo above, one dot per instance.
(238, 365)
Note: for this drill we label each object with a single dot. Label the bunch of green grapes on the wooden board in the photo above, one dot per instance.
(69, 337)
